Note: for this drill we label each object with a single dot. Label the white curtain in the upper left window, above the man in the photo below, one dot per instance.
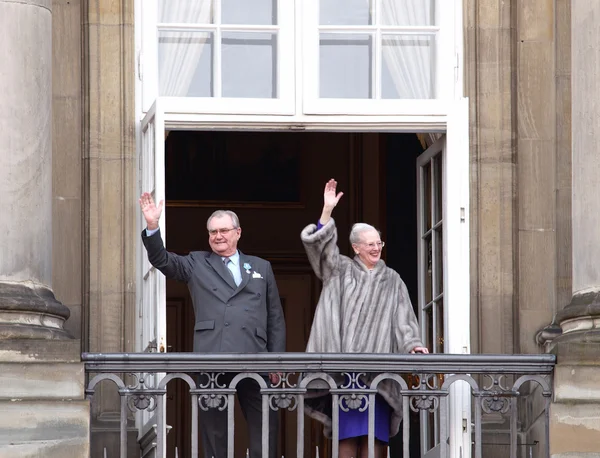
(180, 52)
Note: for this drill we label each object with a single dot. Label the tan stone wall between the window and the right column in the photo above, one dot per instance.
(518, 82)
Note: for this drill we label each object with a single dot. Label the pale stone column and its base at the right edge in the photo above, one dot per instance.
(579, 320)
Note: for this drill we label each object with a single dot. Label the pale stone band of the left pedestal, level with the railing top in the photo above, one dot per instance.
(42, 381)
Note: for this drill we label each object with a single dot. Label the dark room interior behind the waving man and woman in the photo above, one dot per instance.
(270, 230)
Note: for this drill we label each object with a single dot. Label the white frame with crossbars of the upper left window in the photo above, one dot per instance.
(284, 104)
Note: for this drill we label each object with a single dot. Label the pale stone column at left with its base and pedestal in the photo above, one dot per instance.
(44, 412)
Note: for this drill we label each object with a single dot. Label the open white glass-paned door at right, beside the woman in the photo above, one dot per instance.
(443, 259)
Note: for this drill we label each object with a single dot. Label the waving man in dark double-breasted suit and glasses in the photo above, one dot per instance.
(237, 310)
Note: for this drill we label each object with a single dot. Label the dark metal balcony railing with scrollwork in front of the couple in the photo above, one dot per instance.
(495, 387)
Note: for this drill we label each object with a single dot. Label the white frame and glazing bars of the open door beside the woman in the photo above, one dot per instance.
(453, 148)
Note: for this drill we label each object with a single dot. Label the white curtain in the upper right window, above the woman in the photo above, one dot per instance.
(409, 58)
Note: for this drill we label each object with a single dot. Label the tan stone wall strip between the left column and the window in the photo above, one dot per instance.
(109, 197)
